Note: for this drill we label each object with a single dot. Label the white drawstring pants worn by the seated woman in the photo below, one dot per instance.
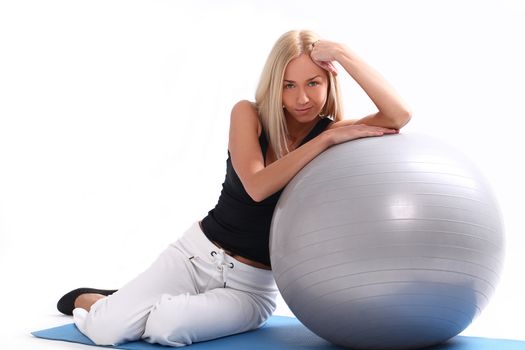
(192, 292)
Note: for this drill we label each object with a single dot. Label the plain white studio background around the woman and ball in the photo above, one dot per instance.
(114, 119)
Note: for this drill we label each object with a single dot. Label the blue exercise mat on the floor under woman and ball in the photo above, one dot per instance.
(279, 333)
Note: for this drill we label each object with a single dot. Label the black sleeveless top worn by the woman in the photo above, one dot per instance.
(238, 223)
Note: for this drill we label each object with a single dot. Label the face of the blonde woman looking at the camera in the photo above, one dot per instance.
(305, 88)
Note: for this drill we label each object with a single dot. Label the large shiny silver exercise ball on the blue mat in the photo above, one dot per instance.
(392, 242)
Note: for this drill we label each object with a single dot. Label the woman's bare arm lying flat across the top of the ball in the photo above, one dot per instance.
(248, 161)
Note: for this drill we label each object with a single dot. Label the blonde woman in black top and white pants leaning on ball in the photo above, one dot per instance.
(216, 280)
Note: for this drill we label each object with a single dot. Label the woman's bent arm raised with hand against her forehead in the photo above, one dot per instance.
(393, 112)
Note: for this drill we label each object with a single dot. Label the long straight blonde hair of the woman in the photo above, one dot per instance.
(268, 96)
